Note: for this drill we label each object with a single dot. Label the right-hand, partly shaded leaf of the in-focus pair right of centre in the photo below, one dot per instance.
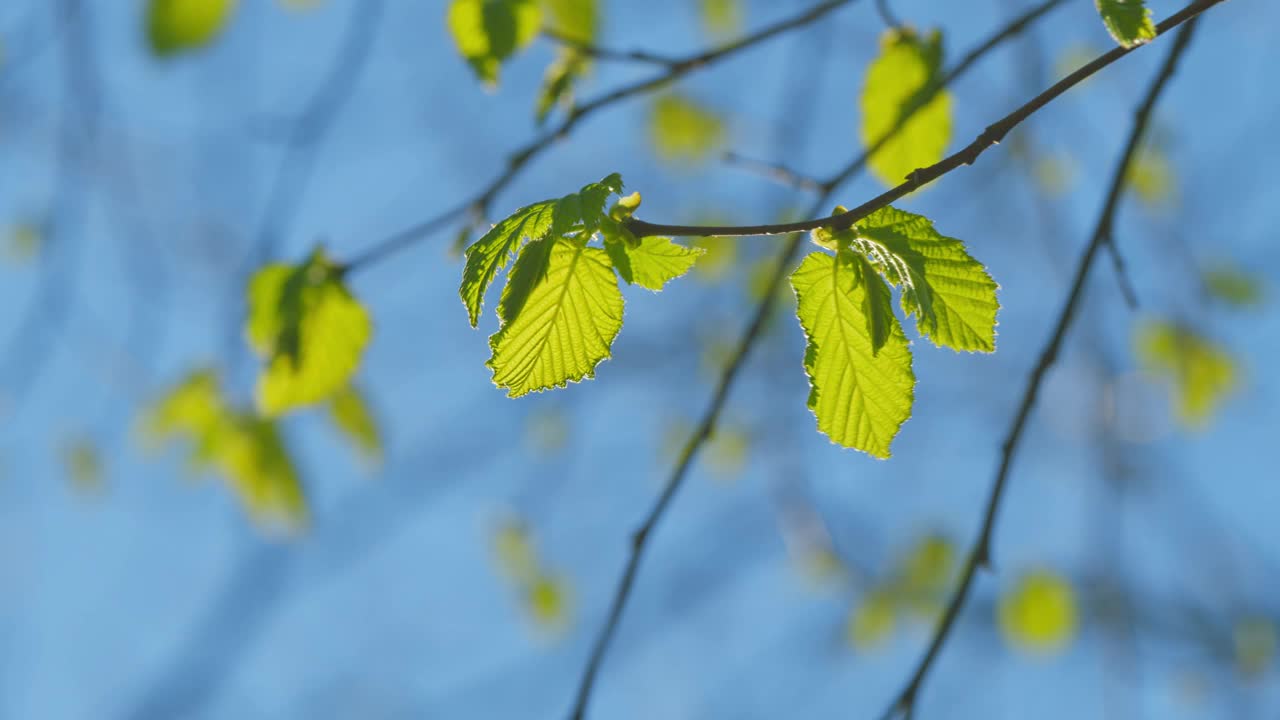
(948, 291)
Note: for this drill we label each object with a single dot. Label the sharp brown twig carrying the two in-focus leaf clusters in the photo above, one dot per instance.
(921, 177)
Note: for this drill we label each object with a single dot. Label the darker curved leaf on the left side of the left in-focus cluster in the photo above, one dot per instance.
(550, 218)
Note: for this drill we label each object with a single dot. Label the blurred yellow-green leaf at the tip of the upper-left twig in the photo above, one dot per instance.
(310, 331)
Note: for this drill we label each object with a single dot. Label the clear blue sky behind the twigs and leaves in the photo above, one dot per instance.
(158, 595)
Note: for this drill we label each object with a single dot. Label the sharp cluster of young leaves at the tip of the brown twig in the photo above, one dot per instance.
(563, 307)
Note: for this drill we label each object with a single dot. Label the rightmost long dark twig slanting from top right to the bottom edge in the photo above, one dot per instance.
(981, 554)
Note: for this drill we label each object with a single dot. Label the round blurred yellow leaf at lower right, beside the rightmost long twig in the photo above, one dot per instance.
(1039, 614)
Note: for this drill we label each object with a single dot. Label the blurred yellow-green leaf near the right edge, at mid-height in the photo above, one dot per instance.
(1203, 375)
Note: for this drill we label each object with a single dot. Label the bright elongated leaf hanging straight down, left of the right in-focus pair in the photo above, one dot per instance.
(861, 398)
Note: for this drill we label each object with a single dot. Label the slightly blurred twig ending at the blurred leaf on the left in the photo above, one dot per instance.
(479, 204)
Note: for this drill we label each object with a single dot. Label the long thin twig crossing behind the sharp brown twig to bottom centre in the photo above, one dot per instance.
(720, 397)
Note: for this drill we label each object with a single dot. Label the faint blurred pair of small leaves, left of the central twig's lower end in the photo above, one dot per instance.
(545, 595)
